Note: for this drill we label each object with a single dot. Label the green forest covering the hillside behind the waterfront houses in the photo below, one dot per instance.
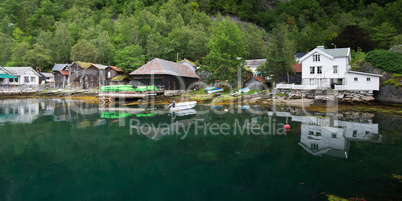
(39, 33)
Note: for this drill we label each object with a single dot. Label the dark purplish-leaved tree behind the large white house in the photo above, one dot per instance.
(354, 37)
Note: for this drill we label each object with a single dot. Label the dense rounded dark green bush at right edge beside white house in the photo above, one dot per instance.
(386, 60)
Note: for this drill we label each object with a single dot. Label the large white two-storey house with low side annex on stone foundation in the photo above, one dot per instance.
(329, 68)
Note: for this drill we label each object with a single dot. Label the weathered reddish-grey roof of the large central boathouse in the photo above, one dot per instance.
(163, 67)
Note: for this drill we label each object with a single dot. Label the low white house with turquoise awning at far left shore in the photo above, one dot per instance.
(21, 76)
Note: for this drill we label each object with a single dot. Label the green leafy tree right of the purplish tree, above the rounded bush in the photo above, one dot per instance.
(383, 35)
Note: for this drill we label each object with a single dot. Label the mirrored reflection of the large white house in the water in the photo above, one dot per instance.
(328, 136)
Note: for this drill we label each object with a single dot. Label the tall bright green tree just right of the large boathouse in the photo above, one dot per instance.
(227, 45)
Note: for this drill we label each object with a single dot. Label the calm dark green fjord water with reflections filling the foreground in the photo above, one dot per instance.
(53, 149)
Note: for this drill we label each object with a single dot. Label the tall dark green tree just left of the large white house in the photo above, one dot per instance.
(281, 51)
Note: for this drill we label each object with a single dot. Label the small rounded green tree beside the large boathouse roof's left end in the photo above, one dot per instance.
(130, 58)
